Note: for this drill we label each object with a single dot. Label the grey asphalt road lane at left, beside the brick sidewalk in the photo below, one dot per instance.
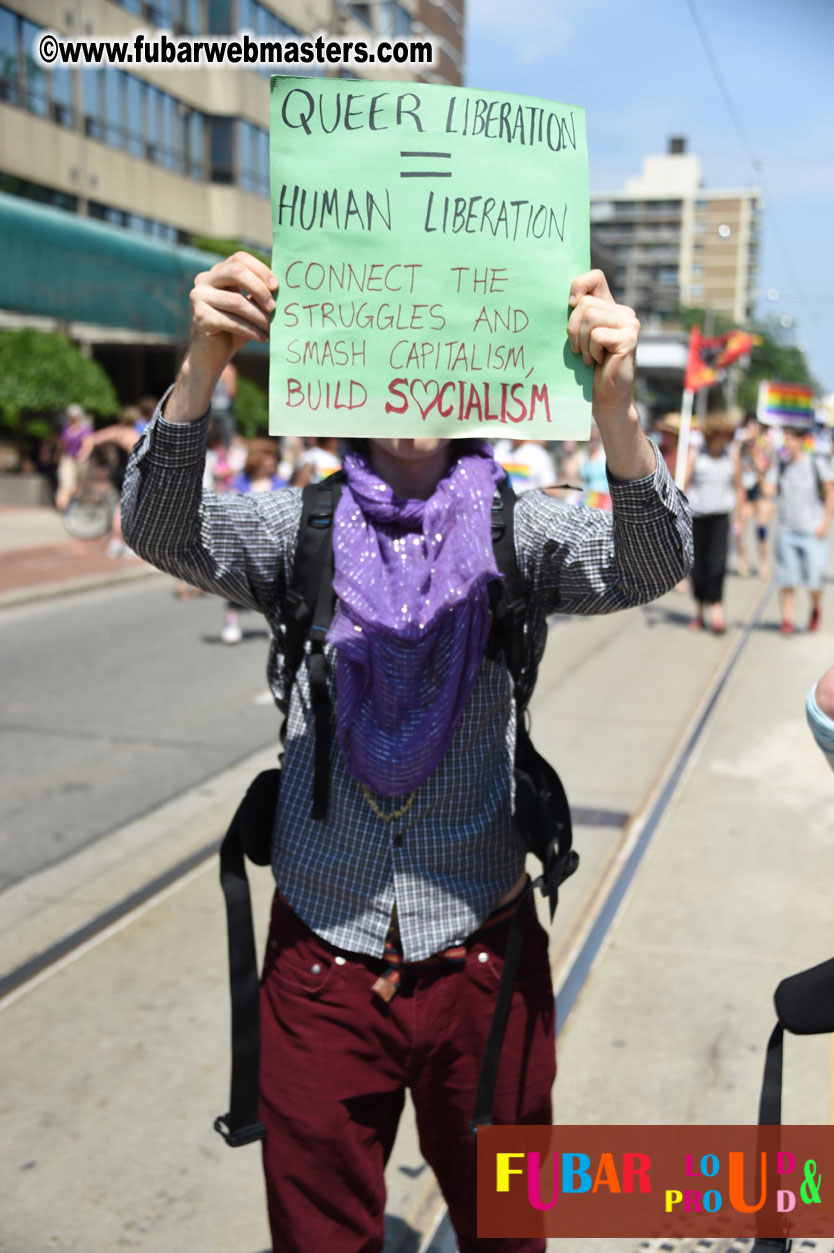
(115, 702)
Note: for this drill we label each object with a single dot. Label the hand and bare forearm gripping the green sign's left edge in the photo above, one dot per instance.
(231, 305)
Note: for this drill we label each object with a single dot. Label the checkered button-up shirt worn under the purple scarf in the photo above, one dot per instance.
(453, 856)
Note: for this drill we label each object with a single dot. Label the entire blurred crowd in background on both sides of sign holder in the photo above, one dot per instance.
(738, 478)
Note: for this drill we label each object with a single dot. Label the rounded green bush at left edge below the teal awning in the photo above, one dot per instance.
(42, 374)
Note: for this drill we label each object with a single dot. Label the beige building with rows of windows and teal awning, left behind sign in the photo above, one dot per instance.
(145, 161)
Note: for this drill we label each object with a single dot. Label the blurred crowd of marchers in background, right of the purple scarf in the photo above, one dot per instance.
(739, 477)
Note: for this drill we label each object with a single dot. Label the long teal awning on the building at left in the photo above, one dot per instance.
(62, 266)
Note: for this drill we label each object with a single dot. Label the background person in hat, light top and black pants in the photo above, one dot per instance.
(713, 486)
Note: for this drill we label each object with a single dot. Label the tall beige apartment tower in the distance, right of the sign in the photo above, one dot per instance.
(677, 242)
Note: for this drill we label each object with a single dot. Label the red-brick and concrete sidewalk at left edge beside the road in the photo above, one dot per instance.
(39, 559)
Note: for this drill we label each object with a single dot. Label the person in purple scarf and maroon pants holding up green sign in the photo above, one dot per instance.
(418, 856)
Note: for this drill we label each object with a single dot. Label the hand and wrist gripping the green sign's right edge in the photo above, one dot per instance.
(607, 336)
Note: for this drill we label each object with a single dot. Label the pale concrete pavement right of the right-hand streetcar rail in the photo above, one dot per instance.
(736, 894)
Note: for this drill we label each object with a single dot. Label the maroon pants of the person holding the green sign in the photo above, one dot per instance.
(336, 1061)
